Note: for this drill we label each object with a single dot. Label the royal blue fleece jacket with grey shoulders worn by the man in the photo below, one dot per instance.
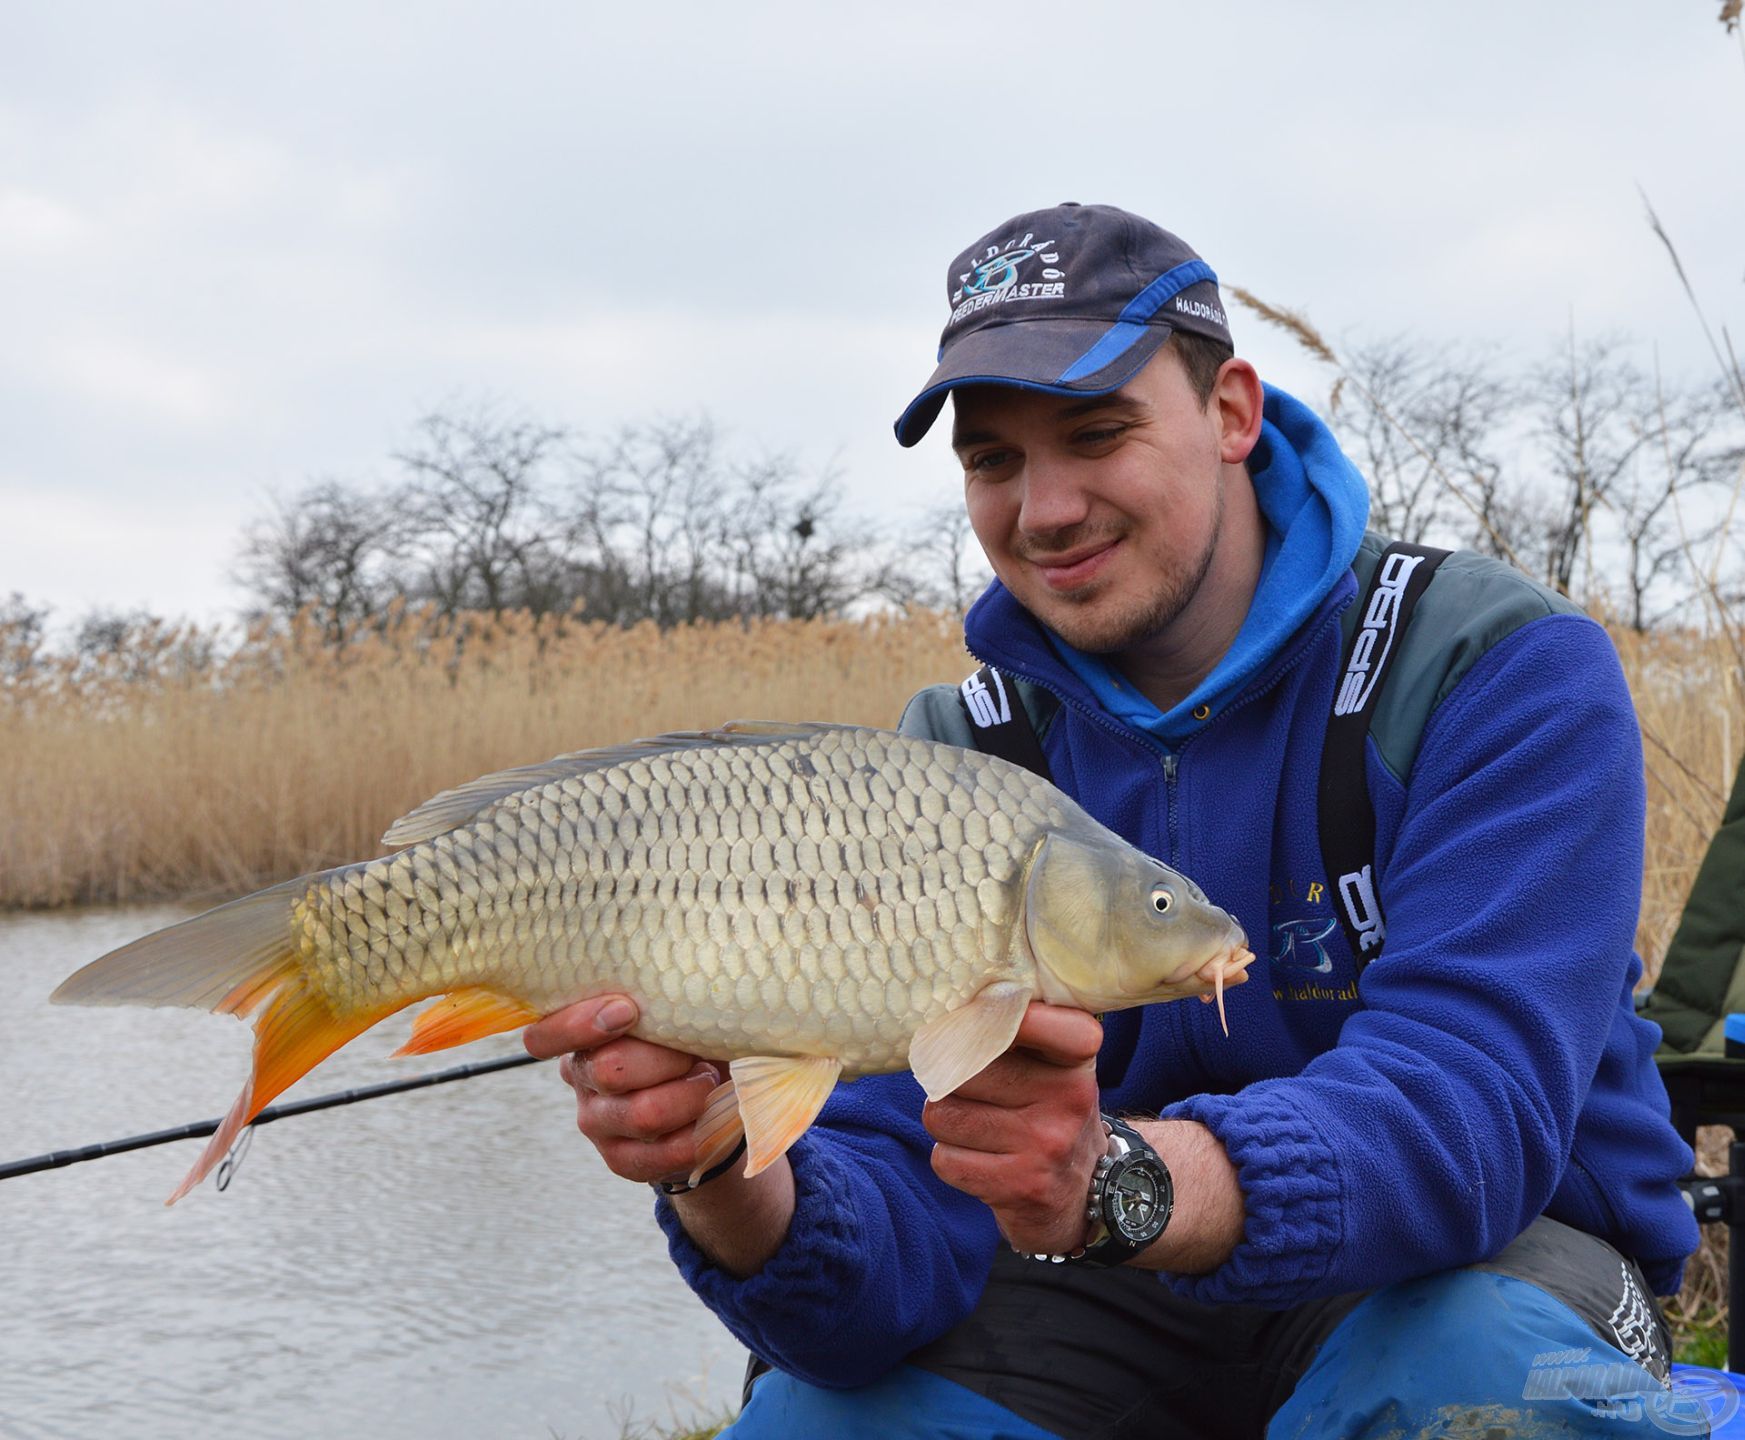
(1486, 1069)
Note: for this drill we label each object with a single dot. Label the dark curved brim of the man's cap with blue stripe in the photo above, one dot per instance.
(1034, 355)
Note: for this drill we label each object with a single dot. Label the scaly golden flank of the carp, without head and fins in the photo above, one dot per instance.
(840, 929)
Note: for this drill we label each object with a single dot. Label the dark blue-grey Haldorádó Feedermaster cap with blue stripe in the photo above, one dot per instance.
(1067, 301)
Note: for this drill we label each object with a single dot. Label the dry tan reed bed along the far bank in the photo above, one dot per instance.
(184, 769)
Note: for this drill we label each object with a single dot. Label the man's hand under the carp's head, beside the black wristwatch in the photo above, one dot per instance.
(1025, 1134)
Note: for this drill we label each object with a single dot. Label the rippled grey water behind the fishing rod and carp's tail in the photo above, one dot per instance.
(451, 1263)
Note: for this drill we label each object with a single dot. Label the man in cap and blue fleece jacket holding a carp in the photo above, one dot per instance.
(1420, 1197)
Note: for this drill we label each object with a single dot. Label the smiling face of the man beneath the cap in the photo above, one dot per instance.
(1100, 516)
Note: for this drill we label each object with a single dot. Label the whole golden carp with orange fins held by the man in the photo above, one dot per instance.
(807, 902)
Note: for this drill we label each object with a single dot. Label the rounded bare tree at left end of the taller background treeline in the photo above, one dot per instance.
(329, 549)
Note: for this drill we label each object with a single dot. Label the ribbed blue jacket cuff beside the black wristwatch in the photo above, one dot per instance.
(1292, 1191)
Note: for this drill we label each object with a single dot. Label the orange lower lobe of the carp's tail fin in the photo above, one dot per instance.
(294, 1034)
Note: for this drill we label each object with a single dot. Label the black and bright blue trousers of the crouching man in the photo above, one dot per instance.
(1467, 1355)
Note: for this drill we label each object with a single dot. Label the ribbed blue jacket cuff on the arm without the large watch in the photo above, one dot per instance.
(818, 1270)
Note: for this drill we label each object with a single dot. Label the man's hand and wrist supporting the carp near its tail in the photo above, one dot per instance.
(640, 1104)
